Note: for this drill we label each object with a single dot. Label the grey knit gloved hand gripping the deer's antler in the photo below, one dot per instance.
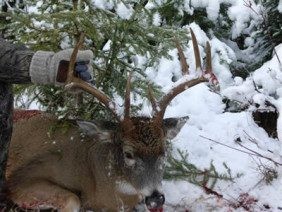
(51, 68)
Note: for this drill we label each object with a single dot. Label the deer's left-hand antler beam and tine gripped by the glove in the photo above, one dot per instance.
(75, 82)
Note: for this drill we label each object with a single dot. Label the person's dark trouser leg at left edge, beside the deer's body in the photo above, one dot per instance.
(6, 125)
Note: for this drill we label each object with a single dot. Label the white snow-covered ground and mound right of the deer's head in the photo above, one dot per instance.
(209, 123)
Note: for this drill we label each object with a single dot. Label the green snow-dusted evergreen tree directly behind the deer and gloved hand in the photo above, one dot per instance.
(114, 36)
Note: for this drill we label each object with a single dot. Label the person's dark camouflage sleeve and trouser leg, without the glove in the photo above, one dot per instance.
(14, 68)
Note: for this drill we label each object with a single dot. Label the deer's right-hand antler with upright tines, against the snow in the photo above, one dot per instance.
(163, 103)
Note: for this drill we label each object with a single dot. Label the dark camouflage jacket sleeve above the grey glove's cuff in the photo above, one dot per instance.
(14, 63)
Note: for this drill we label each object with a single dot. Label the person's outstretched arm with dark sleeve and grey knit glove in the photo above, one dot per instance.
(19, 65)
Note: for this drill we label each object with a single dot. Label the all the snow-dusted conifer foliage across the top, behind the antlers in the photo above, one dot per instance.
(129, 36)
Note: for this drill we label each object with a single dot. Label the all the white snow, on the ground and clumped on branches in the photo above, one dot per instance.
(247, 147)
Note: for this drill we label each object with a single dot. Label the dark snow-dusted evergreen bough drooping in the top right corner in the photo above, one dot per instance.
(265, 35)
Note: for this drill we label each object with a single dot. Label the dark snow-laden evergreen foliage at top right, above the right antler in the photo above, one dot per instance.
(253, 46)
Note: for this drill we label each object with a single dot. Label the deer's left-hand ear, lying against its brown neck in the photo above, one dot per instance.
(96, 130)
